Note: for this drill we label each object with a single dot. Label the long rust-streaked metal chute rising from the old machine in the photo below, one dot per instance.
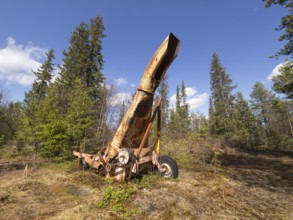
(135, 121)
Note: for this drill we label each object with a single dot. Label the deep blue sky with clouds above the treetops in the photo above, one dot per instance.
(241, 32)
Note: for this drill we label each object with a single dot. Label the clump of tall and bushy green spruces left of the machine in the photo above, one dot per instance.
(65, 114)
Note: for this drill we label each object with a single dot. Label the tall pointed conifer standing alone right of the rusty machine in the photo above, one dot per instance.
(221, 101)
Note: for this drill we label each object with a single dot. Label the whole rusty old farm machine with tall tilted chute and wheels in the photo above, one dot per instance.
(129, 154)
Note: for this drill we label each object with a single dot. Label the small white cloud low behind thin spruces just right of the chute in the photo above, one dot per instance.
(194, 100)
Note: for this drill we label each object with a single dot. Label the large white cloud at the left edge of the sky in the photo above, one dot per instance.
(18, 61)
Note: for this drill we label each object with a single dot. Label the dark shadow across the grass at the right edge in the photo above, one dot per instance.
(270, 173)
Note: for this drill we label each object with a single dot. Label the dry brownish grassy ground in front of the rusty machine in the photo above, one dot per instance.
(235, 186)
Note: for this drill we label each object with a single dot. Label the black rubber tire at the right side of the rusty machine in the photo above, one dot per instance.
(171, 165)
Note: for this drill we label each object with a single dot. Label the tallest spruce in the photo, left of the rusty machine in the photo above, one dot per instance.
(82, 71)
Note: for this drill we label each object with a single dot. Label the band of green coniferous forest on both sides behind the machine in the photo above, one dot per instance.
(73, 111)
